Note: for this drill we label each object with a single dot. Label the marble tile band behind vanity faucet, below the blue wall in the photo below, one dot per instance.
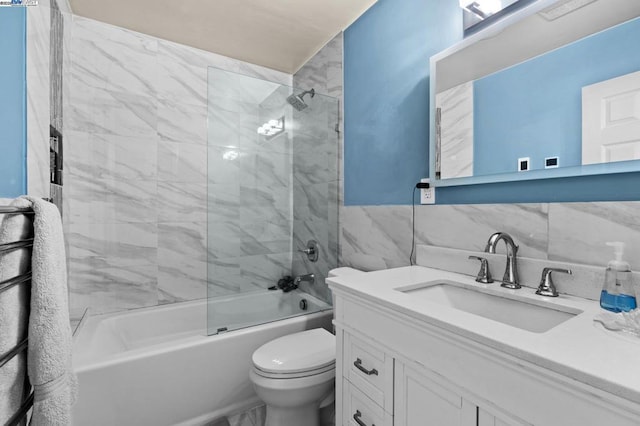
(378, 237)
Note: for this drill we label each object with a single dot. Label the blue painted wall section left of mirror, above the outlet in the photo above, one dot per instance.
(386, 95)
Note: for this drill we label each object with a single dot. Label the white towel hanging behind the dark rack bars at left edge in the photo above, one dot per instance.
(13, 309)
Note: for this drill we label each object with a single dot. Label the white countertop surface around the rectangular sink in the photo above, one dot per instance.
(577, 348)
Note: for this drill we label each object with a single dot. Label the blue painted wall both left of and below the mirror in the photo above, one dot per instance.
(386, 66)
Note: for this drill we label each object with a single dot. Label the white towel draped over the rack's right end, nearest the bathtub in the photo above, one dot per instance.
(50, 344)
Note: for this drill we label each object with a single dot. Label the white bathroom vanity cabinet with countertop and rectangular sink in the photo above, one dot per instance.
(421, 346)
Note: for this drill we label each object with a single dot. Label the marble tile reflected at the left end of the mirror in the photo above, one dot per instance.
(456, 131)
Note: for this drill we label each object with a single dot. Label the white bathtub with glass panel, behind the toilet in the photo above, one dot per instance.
(157, 366)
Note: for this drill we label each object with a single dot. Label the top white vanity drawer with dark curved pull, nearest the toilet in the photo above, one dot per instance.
(370, 369)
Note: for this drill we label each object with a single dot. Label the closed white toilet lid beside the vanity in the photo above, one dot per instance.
(305, 351)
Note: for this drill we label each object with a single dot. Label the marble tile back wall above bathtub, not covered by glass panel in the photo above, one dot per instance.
(136, 166)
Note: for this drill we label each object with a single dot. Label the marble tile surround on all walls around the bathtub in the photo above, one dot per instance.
(135, 205)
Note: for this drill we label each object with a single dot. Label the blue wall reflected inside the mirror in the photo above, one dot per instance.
(535, 109)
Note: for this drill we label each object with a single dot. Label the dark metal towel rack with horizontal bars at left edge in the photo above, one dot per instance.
(20, 416)
